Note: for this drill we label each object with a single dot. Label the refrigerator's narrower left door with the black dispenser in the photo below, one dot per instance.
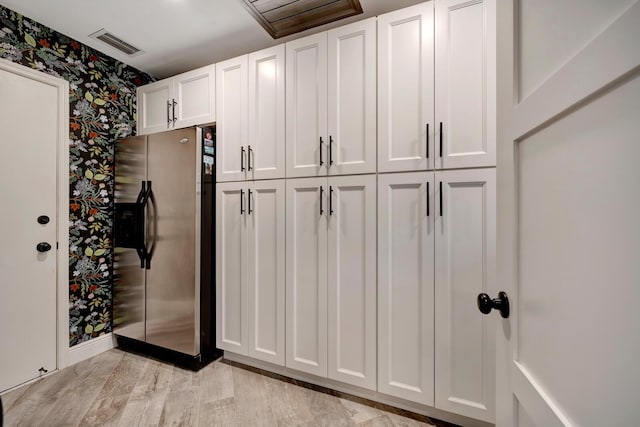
(129, 274)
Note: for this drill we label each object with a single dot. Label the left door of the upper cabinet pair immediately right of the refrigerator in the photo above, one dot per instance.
(231, 127)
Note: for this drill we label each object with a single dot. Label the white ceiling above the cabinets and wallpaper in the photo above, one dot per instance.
(176, 35)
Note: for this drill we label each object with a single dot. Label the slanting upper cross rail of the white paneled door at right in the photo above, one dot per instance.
(563, 90)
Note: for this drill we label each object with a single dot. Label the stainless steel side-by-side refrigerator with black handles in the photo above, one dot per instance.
(164, 241)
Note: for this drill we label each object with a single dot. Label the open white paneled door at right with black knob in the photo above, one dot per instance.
(568, 229)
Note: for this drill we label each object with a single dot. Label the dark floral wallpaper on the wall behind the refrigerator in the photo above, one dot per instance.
(102, 94)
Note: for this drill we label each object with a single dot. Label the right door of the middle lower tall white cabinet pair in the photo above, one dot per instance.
(352, 280)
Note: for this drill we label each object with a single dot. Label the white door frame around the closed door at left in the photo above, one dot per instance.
(62, 209)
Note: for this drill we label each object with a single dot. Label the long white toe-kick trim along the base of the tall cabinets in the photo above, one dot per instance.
(357, 391)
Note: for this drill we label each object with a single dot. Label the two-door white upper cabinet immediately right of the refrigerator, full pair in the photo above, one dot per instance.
(250, 106)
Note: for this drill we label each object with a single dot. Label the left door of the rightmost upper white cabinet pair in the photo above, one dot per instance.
(405, 89)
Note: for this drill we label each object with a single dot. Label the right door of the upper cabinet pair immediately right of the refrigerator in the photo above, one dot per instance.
(266, 146)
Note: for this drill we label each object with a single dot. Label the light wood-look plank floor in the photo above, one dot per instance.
(117, 388)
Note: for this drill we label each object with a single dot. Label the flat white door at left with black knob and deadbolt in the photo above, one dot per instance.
(28, 152)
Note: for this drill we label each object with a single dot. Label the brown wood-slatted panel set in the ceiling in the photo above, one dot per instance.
(284, 17)
